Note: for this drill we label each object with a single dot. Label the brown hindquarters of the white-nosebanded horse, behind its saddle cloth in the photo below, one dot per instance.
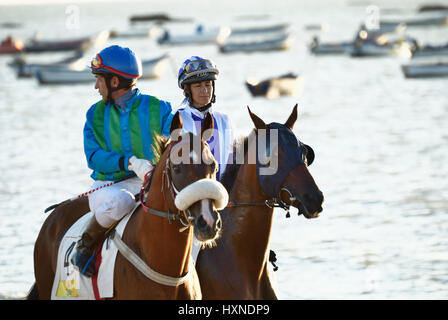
(48, 240)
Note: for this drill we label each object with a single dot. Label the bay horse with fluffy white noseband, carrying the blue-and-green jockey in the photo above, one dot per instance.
(164, 244)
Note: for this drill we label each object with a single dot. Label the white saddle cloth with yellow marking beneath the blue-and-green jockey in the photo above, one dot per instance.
(69, 284)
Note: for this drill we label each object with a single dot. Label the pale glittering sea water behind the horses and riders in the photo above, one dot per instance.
(381, 140)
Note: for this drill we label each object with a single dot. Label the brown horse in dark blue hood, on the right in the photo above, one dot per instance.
(237, 267)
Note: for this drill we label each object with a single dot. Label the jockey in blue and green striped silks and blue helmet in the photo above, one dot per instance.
(118, 138)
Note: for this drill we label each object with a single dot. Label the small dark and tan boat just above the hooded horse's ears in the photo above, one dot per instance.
(287, 84)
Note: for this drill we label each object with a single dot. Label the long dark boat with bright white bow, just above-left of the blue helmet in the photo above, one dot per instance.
(81, 44)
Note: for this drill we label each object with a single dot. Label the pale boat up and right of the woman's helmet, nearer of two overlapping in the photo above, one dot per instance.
(281, 42)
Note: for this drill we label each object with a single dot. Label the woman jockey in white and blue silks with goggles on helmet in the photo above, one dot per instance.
(196, 78)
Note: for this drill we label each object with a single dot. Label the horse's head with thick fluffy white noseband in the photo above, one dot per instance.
(190, 173)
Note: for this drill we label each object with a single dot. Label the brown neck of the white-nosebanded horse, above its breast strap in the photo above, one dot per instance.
(163, 247)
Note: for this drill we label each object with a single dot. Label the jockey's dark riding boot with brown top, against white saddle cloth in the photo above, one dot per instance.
(84, 256)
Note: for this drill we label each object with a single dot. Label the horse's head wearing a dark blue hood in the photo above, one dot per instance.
(282, 166)
